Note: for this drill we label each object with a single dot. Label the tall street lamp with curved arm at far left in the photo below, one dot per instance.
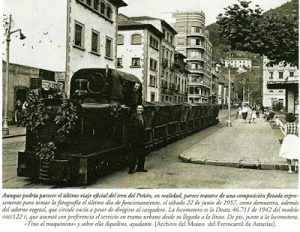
(5, 129)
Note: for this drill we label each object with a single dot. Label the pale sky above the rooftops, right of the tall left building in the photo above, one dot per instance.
(163, 8)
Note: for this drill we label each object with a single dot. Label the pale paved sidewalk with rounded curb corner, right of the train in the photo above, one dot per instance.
(243, 145)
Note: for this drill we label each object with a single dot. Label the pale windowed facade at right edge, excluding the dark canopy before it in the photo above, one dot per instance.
(277, 74)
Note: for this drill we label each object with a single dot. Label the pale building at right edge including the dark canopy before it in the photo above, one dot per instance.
(276, 79)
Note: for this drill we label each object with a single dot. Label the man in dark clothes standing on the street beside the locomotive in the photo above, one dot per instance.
(136, 157)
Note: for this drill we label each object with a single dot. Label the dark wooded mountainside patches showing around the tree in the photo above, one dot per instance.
(220, 48)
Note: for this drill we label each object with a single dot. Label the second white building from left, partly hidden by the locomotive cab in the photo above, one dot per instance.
(139, 53)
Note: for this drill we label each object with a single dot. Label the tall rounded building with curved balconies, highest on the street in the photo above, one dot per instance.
(193, 41)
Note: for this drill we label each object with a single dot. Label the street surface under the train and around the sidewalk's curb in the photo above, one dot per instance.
(165, 170)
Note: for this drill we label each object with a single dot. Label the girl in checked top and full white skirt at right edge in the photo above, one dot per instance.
(290, 144)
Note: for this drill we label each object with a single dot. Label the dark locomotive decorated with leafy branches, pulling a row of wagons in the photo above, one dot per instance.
(80, 139)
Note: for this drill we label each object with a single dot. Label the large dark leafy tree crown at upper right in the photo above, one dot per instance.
(273, 35)
